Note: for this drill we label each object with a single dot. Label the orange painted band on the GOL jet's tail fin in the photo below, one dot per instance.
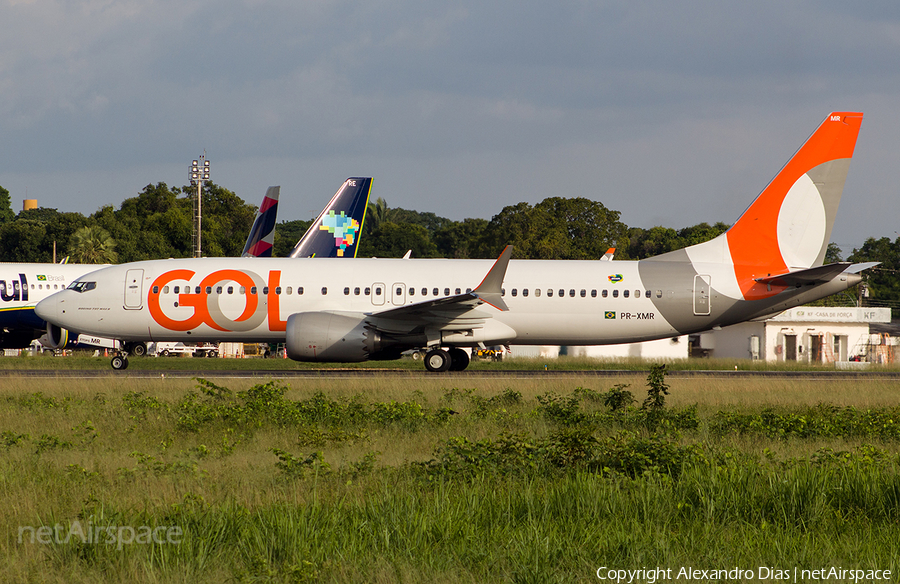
(753, 240)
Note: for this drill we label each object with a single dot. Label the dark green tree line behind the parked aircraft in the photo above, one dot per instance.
(157, 223)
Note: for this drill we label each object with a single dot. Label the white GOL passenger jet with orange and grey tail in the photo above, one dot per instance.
(771, 259)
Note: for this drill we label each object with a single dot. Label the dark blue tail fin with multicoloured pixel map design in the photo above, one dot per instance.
(336, 231)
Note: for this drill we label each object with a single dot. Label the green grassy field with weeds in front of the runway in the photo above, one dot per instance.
(417, 480)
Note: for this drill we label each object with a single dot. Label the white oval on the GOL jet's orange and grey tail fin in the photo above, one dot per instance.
(801, 224)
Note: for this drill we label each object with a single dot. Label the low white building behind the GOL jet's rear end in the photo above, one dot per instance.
(813, 334)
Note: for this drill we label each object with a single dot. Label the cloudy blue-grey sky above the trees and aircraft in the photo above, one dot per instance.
(672, 113)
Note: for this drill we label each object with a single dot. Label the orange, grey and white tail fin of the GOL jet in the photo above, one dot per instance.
(788, 227)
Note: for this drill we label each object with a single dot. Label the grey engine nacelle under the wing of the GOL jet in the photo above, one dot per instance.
(329, 336)
